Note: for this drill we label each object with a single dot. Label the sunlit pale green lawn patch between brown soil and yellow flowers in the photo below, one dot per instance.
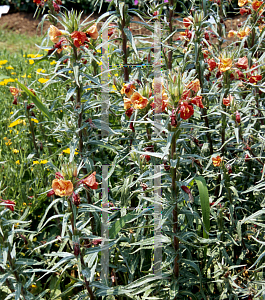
(17, 42)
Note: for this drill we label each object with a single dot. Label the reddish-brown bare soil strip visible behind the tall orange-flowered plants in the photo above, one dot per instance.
(23, 23)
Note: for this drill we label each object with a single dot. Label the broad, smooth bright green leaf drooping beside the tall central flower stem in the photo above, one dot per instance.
(205, 204)
